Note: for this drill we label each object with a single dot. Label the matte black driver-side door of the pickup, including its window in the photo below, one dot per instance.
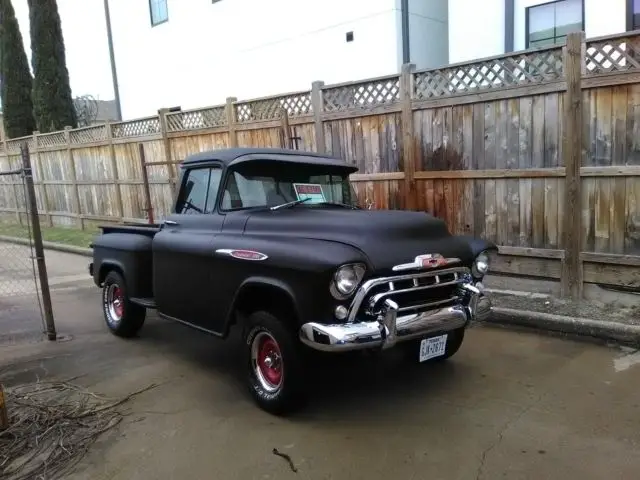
(183, 254)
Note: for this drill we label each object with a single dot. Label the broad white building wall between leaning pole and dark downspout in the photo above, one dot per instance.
(246, 48)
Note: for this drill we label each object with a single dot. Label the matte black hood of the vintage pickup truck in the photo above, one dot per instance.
(386, 237)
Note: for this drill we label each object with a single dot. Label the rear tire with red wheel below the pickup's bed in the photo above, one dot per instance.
(123, 318)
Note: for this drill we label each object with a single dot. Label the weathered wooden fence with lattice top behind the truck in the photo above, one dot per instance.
(537, 150)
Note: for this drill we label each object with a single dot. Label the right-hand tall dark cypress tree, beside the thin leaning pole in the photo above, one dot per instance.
(52, 101)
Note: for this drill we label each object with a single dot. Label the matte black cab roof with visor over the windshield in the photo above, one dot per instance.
(236, 156)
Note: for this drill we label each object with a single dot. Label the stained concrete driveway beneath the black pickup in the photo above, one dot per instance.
(510, 405)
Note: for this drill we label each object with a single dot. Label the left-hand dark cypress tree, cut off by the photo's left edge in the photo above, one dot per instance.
(15, 77)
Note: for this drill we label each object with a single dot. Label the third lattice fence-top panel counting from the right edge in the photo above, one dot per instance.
(368, 94)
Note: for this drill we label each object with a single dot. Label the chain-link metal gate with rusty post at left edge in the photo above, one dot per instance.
(25, 302)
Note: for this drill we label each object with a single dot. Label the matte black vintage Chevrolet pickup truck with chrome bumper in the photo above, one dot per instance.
(273, 241)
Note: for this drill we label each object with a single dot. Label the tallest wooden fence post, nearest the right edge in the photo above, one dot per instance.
(571, 281)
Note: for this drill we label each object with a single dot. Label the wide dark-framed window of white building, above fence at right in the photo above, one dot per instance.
(549, 23)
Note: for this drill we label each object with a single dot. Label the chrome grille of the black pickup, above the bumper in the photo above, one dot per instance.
(412, 292)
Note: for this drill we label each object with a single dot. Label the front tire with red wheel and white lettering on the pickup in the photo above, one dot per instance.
(277, 384)
